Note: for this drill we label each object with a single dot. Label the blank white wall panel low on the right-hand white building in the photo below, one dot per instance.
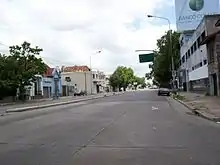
(199, 73)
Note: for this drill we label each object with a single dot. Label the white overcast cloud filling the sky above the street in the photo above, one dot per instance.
(70, 31)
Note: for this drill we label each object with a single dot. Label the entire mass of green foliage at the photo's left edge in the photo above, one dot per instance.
(19, 68)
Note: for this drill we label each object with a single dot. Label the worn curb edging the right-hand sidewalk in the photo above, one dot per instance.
(198, 112)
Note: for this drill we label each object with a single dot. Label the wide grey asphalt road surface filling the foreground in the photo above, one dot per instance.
(136, 128)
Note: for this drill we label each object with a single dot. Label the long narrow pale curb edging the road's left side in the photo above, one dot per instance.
(57, 104)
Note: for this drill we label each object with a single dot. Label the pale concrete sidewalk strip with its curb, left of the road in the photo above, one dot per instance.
(49, 103)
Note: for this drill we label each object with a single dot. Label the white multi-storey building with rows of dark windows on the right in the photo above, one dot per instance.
(193, 69)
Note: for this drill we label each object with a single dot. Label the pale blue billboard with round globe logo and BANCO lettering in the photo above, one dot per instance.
(189, 13)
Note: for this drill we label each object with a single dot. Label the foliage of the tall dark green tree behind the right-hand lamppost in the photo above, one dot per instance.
(161, 67)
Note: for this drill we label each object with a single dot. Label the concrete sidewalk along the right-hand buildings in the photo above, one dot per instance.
(205, 106)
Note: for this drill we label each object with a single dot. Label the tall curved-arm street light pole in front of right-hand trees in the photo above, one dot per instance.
(170, 46)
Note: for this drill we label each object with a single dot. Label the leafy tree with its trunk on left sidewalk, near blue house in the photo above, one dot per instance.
(27, 64)
